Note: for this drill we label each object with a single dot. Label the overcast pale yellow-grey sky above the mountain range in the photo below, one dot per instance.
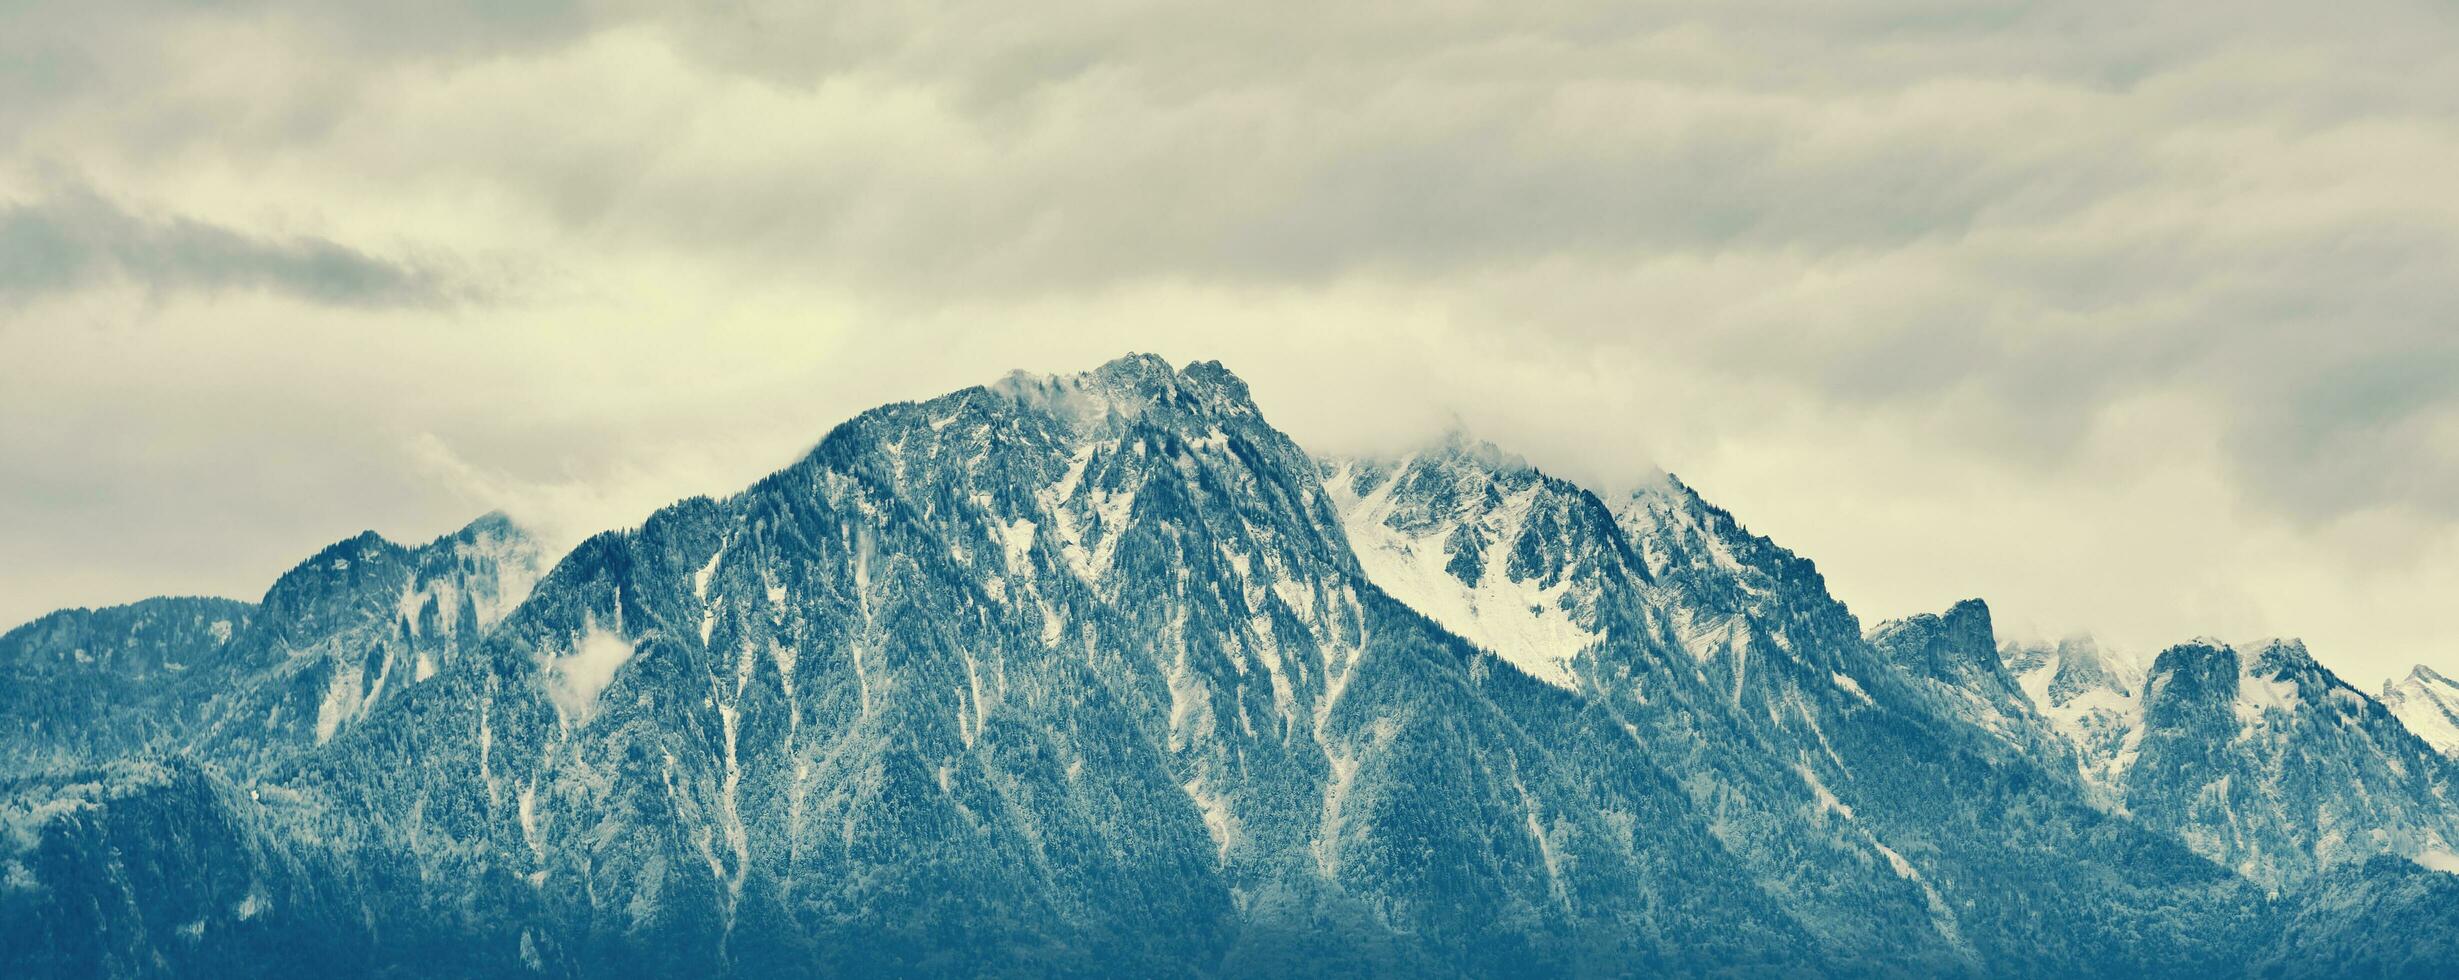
(2136, 321)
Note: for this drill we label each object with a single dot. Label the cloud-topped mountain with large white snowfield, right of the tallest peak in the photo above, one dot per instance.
(1828, 770)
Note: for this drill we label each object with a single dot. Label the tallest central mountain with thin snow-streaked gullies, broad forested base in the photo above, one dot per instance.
(1073, 669)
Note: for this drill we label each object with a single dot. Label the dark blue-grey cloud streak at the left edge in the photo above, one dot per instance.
(80, 239)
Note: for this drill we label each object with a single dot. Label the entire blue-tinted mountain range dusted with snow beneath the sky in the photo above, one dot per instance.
(1108, 677)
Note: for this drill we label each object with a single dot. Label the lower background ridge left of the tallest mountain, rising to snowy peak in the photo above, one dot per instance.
(245, 684)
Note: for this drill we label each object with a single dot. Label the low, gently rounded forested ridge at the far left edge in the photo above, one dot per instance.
(100, 684)
